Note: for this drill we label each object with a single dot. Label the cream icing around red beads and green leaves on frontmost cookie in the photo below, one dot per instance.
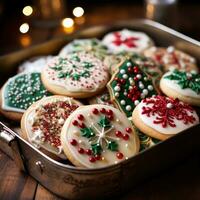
(109, 157)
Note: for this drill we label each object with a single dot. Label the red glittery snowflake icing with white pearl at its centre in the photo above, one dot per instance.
(166, 115)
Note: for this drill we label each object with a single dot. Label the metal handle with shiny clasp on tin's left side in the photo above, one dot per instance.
(10, 140)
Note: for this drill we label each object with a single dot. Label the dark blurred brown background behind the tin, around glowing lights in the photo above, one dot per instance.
(96, 12)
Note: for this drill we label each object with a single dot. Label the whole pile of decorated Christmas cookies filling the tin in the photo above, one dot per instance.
(98, 103)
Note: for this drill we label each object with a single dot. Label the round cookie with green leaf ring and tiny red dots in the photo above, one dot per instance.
(78, 75)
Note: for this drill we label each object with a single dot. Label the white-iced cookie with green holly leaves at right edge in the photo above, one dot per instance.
(182, 85)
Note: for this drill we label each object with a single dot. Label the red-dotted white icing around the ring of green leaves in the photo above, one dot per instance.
(98, 73)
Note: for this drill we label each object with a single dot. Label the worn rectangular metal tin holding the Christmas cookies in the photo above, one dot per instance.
(76, 183)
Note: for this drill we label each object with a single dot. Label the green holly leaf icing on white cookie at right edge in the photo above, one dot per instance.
(186, 80)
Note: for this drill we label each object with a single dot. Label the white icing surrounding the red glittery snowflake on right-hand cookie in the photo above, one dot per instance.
(180, 126)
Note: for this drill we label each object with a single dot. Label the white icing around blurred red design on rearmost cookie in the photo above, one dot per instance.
(143, 43)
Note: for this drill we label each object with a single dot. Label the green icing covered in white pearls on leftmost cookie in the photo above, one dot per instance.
(23, 90)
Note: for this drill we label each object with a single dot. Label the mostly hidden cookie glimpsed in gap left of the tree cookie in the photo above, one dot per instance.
(103, 98)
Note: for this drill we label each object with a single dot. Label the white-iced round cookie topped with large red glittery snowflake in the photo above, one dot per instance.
(162, 117)
